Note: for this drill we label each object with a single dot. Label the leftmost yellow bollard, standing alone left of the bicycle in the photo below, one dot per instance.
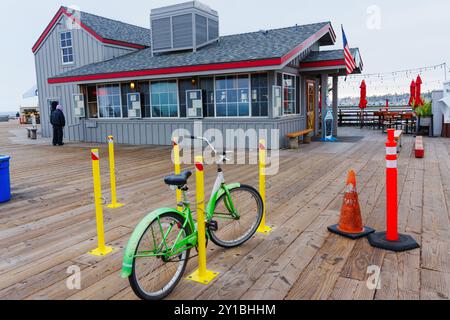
(102, 249)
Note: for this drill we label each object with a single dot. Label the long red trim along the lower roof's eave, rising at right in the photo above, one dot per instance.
(199, 68)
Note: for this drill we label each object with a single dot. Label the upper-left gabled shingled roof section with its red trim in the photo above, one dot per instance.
(104, 29)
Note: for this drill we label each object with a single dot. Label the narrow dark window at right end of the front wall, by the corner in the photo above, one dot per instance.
(260, 95)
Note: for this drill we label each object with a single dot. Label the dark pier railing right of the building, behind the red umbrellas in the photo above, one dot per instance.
(350, 116)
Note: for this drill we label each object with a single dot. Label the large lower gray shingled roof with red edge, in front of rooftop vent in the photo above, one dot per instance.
(270, 46)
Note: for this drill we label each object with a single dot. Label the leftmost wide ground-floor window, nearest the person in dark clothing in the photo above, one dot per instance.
(109, 101)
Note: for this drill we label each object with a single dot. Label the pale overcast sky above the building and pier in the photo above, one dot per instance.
(392, 35)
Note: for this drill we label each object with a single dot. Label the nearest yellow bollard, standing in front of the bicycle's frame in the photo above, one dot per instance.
(202, 275)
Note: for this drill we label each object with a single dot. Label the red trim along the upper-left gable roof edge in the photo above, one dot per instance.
(63, 11)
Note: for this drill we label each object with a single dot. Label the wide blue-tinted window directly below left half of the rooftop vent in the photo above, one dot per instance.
(164, 99)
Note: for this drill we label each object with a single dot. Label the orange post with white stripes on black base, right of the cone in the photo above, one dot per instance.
(391, 239)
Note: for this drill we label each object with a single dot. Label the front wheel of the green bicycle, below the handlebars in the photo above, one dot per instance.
(236, 228)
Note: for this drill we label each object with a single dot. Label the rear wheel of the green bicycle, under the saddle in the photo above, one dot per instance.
(154, 275)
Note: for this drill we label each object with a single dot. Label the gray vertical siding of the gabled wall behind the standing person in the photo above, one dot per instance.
(48, 63)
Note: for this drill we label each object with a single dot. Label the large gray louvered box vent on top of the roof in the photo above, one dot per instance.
(185, 26)
